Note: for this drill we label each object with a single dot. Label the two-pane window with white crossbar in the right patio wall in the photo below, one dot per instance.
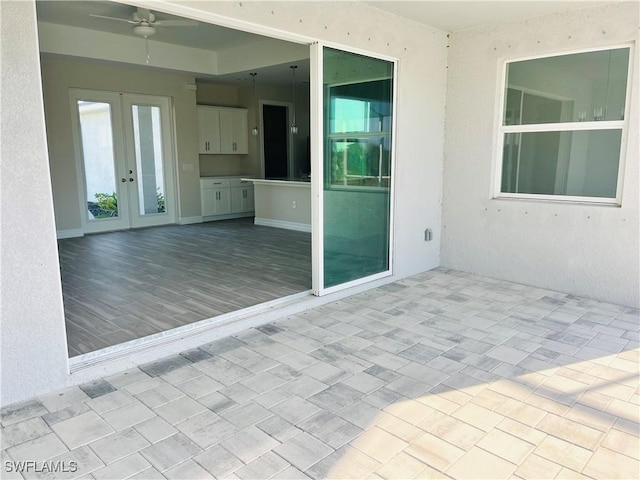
(562, 127)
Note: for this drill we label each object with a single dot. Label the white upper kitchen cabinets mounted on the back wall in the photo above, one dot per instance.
(222, 130)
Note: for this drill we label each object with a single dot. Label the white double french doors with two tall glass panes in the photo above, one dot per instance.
(124, 157)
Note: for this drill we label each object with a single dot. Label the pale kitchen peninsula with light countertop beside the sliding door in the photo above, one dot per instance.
(282, 203)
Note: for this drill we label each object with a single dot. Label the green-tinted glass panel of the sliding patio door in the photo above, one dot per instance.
(358, 106)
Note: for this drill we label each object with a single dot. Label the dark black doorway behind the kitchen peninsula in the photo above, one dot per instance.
(276, 152)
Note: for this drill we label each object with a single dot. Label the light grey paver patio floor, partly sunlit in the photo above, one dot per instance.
(441, 375)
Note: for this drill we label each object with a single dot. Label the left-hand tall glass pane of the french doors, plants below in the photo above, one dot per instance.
(98, 157)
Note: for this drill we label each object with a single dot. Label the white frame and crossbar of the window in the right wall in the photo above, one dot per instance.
(502, 130)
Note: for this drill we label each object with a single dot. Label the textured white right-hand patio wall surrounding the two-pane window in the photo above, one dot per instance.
(583, 249)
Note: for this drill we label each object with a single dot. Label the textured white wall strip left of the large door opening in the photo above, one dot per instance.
(33, 344)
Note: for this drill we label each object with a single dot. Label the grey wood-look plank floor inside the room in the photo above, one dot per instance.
(120, 286)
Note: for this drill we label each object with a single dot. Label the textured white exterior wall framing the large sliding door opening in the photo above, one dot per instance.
(34, 358)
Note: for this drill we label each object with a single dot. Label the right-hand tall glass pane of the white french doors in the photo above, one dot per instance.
(148, 149)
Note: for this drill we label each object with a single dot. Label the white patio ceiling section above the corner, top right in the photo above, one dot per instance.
(452, 15)
